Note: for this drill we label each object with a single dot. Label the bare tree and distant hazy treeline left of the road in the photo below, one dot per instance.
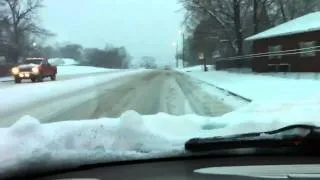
(21, 36)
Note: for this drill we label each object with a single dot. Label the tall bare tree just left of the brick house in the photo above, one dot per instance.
(229, 14)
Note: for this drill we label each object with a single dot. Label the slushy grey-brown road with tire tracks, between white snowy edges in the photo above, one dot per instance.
(147, 93)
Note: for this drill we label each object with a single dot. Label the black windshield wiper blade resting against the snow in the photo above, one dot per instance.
(294, 136)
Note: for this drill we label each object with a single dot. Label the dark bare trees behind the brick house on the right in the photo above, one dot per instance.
(218, 27)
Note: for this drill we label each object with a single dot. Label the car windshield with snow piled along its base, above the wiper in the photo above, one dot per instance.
(134, 79)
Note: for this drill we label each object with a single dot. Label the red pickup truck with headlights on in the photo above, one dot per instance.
(34, 69)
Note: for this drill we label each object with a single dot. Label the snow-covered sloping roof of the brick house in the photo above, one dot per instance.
(306, 23)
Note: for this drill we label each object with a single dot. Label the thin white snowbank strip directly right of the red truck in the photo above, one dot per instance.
(76, 70)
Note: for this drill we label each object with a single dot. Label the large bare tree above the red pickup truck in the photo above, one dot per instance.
(19, 28)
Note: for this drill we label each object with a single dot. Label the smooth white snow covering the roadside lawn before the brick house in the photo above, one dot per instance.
(257, 87)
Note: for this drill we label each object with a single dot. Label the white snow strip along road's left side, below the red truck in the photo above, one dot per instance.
(48, 91)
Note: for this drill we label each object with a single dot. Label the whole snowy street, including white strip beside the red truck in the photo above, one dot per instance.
(111, 94)
